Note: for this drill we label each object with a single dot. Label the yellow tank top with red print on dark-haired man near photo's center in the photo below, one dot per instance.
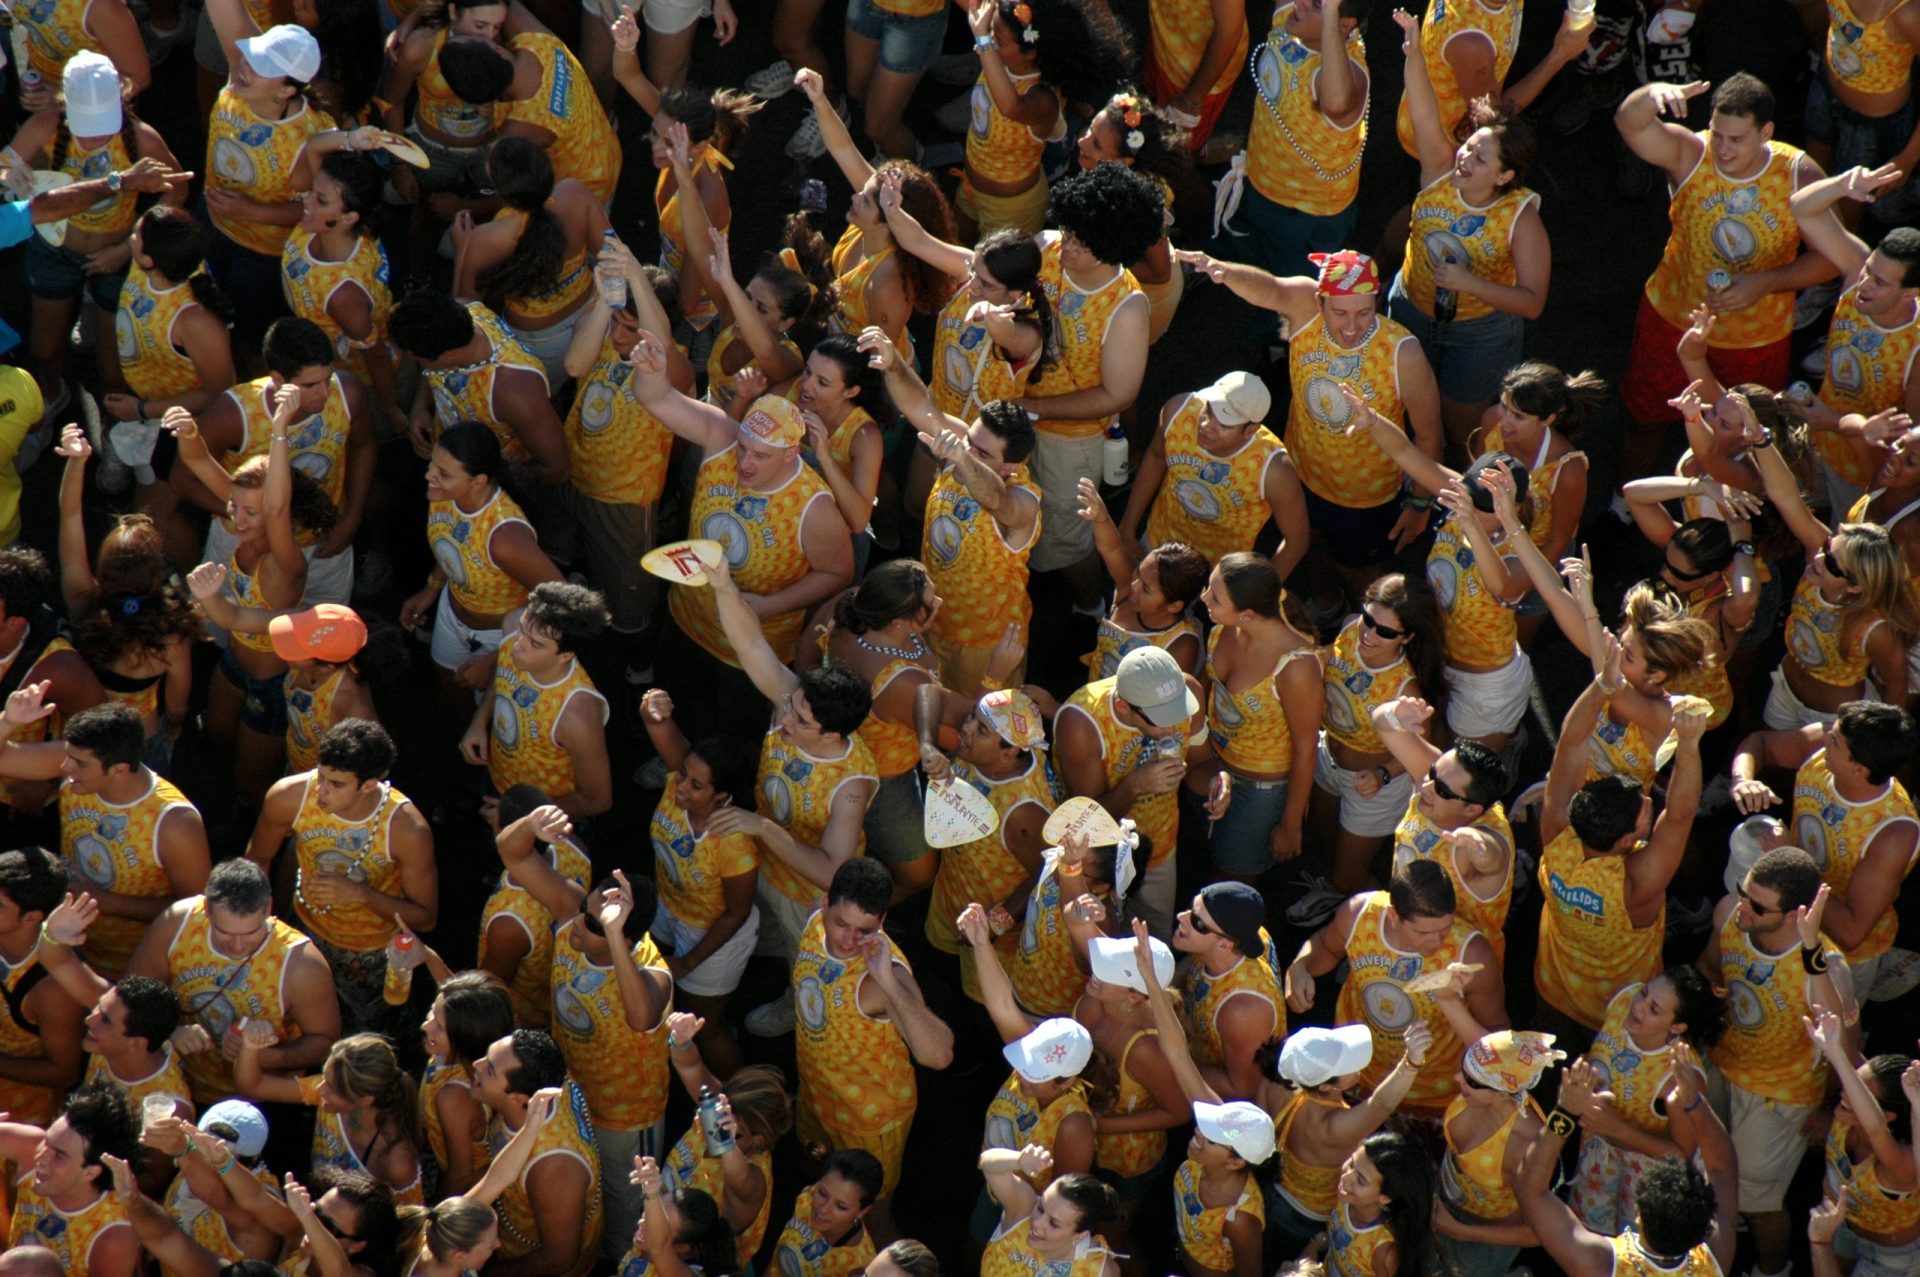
(980, 577)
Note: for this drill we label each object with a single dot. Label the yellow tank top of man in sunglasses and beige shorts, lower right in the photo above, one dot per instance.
(1765, 1049)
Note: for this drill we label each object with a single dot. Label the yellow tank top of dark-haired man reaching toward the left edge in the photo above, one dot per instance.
(116, 848)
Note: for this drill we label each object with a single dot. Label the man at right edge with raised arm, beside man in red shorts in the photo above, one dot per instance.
(1875, 335)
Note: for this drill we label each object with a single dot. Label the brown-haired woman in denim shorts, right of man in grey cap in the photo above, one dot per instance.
(1264, 710)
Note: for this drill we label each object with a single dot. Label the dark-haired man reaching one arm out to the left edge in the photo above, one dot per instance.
(128, 836)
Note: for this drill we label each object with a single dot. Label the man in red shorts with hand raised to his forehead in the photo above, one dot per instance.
(1735, 249)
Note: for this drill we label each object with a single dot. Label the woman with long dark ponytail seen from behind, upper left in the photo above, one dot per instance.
(537, 256)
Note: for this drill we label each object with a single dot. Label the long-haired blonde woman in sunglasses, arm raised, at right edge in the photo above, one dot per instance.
(1854, 612)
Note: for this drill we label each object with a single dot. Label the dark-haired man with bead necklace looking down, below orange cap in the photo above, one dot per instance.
(366, 855)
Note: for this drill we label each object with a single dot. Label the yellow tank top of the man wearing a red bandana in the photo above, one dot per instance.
(1347, 470)
